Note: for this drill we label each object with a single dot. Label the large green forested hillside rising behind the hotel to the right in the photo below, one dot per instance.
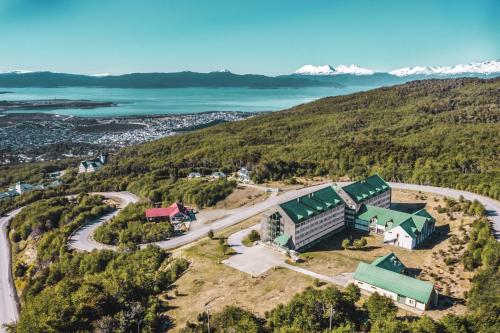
(440, 132)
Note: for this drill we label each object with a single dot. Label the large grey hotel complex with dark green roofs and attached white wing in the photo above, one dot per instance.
(363, 205)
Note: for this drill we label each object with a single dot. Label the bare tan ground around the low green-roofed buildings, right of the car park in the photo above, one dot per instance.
(426, 263)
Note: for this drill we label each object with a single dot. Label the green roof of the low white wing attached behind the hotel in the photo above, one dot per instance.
(411, 223)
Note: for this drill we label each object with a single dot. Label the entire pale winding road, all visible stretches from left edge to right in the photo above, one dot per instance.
(82, 238)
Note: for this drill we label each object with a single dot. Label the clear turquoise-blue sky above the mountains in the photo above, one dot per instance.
(257, 36)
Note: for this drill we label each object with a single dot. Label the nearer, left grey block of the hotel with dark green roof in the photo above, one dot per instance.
(301, 222)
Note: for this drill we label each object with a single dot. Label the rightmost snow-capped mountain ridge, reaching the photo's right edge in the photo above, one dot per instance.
(484, 67)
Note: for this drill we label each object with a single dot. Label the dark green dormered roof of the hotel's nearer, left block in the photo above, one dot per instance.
(307, 206)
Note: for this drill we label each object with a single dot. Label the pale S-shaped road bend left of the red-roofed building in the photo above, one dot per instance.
(82, 239)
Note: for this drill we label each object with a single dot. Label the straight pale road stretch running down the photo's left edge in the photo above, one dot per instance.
(8, 304)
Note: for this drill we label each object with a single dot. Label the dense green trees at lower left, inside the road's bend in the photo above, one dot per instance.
(100, 291)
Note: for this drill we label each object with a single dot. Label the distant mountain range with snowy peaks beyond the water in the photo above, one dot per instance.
(306, 76)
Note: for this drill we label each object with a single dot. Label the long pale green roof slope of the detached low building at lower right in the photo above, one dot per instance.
(398, 283)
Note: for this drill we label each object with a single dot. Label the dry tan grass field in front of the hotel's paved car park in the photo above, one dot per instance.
(208, 281)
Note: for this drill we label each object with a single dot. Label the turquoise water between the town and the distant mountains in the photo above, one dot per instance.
(141, 102)
